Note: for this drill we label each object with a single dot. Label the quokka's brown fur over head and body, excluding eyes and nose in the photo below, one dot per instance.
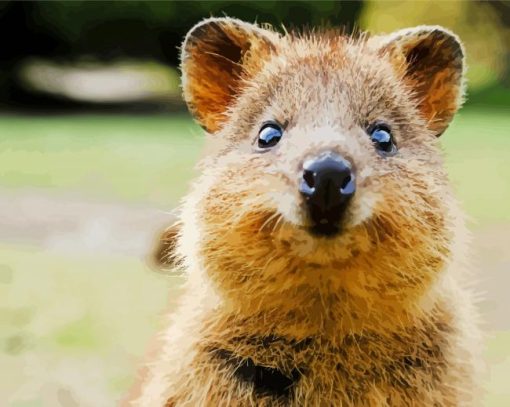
(375, 316)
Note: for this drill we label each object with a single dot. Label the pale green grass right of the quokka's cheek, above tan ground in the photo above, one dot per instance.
(477, 150)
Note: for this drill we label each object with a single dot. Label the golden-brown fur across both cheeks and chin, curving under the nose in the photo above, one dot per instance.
(381, 259)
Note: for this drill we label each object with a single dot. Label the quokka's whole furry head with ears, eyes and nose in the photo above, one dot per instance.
(325, 172)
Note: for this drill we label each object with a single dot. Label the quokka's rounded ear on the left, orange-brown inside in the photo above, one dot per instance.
(217, 54)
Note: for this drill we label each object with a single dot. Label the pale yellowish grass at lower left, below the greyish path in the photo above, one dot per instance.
(75, 323)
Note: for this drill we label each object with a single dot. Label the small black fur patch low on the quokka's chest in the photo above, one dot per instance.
(266, 381)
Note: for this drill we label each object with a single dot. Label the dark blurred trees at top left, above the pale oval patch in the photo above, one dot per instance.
(70, 30)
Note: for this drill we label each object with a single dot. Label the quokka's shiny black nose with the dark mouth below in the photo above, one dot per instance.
(328, 184)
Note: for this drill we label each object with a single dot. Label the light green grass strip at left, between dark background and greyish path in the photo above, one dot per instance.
(136, 158)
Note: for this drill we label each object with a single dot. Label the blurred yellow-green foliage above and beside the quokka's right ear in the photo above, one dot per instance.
(477, 24)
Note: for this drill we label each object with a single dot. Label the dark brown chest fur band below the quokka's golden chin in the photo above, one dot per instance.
(281, 369)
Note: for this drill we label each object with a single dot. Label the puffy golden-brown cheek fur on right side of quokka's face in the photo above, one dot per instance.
(392, 262)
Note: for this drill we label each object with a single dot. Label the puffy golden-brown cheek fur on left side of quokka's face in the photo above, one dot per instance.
(239, 216)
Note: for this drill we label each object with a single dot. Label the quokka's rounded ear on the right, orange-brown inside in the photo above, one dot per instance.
(431, 60)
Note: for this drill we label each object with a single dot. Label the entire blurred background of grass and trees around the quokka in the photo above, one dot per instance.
(97, 149)
